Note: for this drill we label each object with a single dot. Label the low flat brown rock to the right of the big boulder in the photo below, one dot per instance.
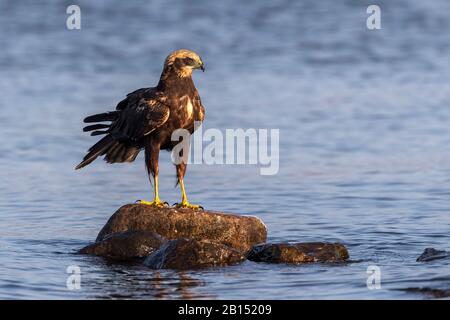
(298, 252)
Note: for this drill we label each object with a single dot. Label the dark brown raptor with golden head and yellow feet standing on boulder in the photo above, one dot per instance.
(146, 119)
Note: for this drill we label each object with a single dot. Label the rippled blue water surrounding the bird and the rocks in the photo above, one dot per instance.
(364, 134)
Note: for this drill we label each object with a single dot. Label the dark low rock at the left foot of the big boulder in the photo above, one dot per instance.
(125, 245)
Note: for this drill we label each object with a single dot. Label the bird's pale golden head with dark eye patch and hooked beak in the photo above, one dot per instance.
(183, 62)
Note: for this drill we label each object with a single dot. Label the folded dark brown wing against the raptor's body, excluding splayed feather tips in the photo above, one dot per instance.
(141, 116)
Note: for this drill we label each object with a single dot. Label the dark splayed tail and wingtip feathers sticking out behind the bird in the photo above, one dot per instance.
(115, 151)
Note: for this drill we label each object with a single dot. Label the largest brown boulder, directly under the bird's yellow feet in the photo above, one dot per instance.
(238, 232)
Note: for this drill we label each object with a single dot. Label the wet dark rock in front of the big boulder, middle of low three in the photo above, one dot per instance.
(182, 254)
